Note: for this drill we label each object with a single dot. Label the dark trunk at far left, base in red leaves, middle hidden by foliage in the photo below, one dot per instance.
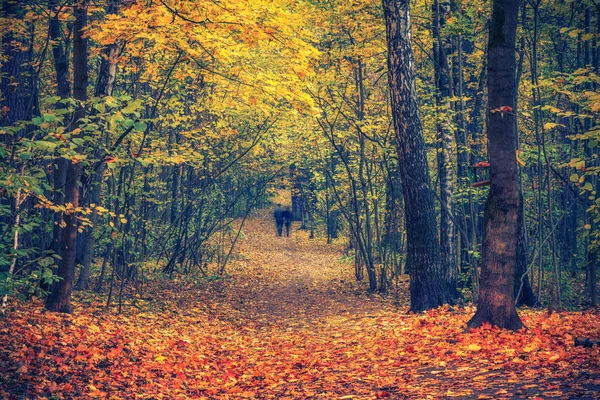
(59, 299)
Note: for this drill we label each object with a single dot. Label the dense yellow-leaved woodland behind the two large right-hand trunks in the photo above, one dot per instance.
(134, 134)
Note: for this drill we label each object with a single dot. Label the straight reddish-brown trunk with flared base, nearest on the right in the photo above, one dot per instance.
(496, 304)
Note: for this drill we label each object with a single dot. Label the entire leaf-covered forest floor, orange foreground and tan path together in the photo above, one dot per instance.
(288, 322)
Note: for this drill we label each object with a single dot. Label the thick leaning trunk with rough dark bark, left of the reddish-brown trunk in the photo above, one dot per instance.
(428, 287)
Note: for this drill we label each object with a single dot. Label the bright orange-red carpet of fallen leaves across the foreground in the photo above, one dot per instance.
(203, 355)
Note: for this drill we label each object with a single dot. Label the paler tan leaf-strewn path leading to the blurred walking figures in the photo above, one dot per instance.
(295, 280)
